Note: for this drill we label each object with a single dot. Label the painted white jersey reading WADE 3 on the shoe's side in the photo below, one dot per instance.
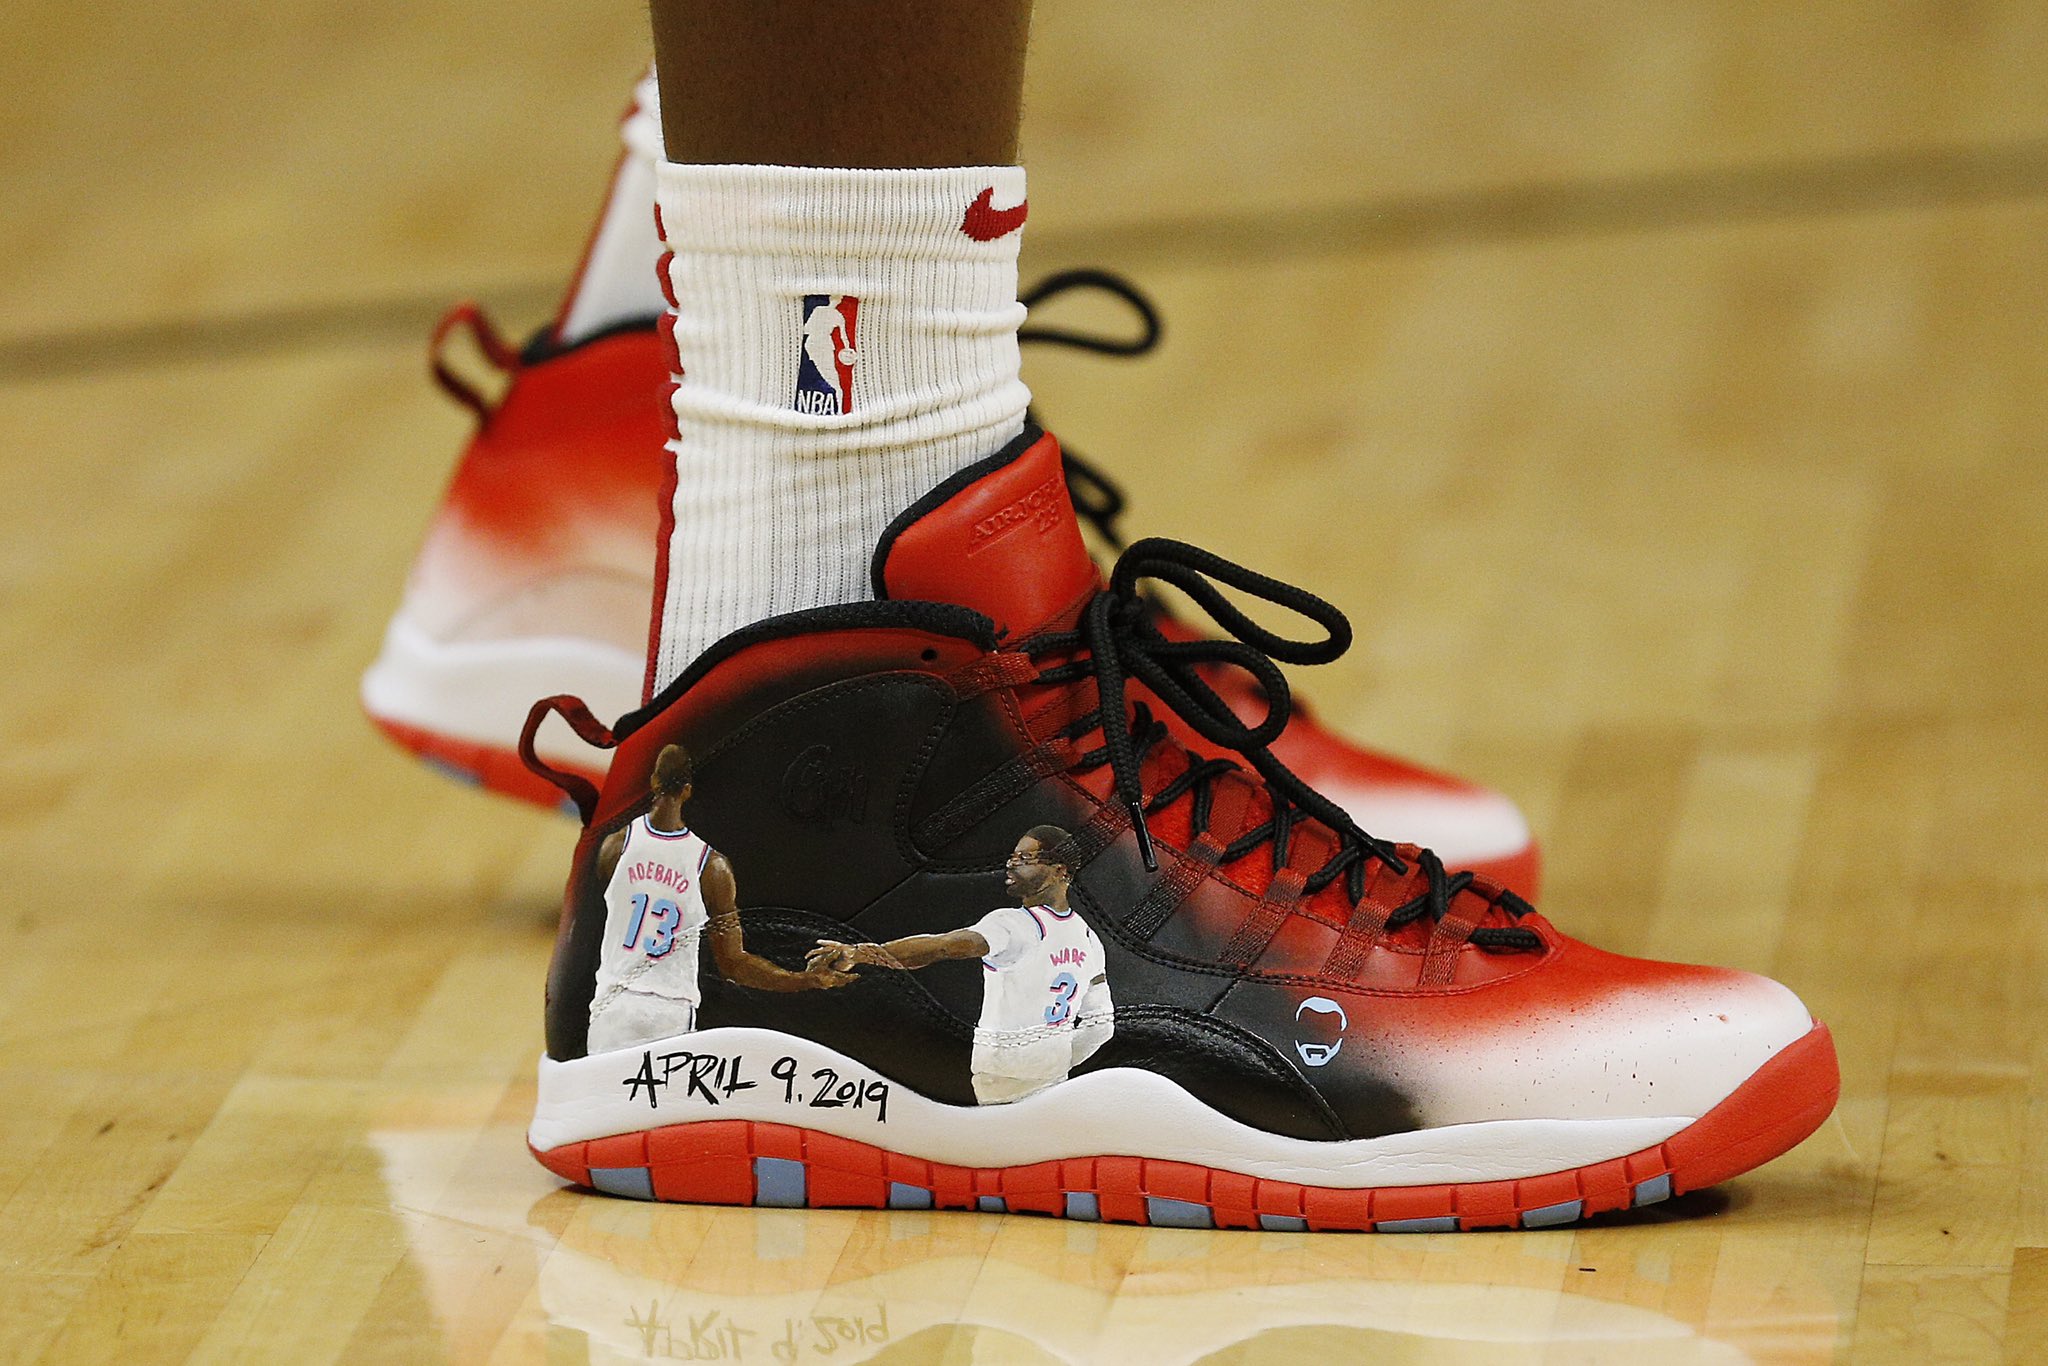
(1046, 1000)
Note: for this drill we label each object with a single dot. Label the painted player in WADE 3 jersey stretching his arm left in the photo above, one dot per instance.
(1046, 992)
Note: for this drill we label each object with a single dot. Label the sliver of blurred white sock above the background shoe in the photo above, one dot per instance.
(617, 280)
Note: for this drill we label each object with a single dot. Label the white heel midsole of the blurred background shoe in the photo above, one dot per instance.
(480, 691)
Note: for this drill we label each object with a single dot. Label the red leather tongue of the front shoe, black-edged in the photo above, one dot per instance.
(998, 538)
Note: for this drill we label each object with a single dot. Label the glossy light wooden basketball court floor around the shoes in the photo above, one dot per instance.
(1662, 388)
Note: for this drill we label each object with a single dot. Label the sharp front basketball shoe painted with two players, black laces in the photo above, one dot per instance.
(1009, 943)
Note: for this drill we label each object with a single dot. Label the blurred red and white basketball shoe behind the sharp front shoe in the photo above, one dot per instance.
(536, 579)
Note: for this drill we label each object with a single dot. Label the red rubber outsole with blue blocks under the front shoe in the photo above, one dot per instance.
(746, 1162)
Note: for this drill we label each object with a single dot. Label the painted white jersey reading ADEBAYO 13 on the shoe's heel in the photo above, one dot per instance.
(654, 921)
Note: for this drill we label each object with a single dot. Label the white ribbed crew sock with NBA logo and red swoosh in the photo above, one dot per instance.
(783, 482)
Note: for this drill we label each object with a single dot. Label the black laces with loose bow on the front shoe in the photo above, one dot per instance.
(1117, 640)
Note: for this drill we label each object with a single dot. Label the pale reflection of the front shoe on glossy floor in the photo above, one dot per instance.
(617, 1281)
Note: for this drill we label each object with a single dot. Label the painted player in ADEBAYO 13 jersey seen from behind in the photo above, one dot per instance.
(665, 892)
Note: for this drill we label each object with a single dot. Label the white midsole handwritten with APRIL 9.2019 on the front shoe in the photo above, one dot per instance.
(1117, 1111)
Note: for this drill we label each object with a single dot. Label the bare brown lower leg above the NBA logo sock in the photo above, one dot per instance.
(816, 83)
